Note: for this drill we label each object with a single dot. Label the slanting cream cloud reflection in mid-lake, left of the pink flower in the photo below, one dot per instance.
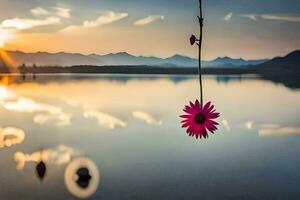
(104, 119)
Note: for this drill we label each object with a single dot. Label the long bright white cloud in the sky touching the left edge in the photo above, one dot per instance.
(22, 24)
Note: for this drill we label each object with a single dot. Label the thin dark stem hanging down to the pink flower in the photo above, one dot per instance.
(200, 18)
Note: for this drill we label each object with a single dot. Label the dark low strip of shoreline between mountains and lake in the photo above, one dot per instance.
(149, 70)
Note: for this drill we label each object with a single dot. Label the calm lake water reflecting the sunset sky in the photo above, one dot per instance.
(128, 127)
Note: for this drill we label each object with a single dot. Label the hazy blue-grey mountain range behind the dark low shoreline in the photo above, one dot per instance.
(122, 59)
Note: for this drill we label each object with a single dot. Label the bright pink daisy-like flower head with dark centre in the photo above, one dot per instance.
(199, 119)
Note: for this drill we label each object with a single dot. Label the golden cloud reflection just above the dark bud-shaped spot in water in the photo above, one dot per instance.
(58, 155)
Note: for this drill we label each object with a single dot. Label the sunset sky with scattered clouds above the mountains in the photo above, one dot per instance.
(249, 29)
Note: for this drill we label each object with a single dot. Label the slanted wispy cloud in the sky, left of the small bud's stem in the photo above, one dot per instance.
(106, 18)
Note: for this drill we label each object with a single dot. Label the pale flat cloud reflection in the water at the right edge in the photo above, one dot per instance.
(285, 131)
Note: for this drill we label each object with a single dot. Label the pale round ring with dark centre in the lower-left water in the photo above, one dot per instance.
(82, 177)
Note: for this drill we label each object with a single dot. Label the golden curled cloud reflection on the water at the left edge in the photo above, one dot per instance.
(11, 136)
